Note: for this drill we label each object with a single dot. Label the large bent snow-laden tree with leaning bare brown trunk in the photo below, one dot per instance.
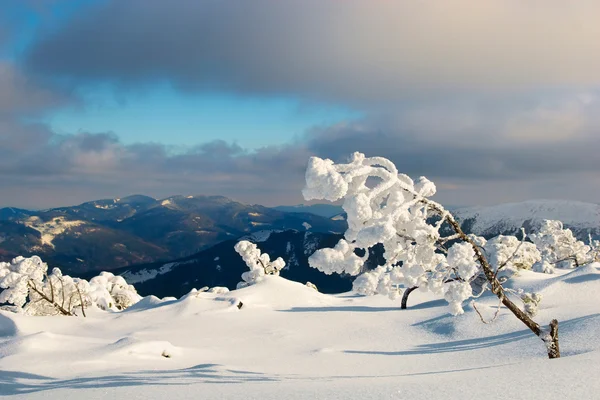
(387, 207)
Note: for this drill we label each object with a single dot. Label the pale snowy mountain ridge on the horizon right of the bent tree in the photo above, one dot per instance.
(510, 217)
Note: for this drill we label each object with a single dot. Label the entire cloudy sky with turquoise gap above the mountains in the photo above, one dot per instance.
(495, 101)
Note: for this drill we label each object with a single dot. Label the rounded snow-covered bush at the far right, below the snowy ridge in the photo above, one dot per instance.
(560, 248)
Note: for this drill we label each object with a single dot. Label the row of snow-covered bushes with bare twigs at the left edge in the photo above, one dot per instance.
(26, 284)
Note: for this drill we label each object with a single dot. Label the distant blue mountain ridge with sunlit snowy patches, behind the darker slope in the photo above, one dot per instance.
(111, 233)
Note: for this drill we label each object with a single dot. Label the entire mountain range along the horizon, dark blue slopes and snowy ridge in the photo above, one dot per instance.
(168, 246)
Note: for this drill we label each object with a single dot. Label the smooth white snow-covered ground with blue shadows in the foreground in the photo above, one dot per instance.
(288, 341)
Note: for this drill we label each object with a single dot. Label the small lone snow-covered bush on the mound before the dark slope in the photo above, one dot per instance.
(259, 264)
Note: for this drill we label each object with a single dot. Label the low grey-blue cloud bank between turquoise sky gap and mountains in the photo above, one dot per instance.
(74, 168)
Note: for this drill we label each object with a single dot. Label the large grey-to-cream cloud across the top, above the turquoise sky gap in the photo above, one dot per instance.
(355, 51)
